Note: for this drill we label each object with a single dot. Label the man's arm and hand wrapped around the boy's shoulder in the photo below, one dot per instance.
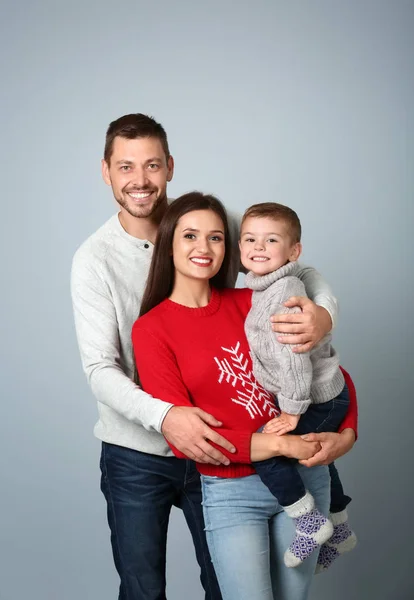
(319, 313)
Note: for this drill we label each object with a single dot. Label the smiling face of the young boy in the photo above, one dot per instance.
(265, 245)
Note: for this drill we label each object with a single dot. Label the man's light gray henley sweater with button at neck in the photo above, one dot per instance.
(109, 272)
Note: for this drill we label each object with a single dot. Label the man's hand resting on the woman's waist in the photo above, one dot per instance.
(188, 430)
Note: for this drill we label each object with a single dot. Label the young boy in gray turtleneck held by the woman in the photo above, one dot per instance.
(310, 387)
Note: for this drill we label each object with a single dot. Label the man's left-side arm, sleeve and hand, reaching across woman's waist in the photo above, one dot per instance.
(98, 338)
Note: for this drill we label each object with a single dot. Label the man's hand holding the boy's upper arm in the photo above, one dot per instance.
(306, 328)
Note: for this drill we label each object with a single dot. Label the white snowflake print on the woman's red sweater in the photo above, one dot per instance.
(235, 370)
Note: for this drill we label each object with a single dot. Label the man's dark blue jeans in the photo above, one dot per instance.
(140, 490)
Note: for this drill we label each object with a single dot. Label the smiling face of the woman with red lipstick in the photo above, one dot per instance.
(198, 245)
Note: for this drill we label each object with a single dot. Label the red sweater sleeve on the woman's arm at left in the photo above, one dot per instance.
(160, 375)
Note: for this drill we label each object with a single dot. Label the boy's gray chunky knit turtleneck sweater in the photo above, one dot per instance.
(296, 379)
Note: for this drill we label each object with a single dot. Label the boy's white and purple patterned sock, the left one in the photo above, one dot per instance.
(312, 530)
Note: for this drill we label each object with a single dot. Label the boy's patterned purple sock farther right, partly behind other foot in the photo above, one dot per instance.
(343, 540)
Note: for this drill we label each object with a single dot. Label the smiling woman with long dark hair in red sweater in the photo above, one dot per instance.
(191, 350)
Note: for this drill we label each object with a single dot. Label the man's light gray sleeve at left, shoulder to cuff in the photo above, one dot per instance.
(98, 339)
